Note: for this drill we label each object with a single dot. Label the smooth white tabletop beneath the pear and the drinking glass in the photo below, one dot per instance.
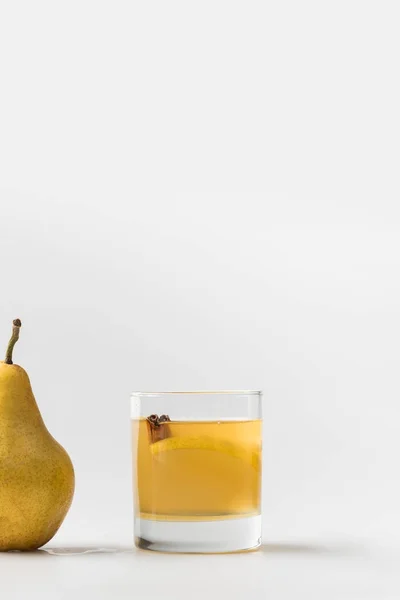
(280, 571)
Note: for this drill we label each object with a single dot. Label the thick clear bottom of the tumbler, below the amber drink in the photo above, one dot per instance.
(229, 535)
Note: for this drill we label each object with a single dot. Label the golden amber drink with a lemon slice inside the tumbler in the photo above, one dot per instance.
(203, 470)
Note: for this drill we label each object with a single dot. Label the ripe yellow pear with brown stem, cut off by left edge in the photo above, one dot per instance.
(36, 474)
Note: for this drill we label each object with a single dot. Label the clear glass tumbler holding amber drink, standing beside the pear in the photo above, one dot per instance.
(197, 470)
